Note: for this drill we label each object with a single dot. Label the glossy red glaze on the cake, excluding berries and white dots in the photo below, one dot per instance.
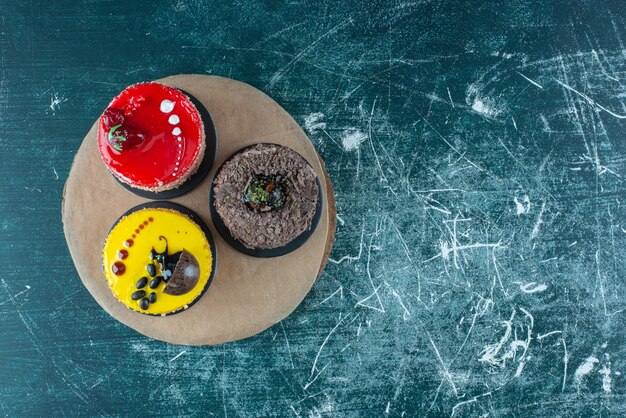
(152, 162)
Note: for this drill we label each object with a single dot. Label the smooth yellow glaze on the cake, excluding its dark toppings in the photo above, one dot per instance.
(181, 233)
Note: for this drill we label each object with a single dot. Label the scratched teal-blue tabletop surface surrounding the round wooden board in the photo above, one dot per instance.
(478, 155)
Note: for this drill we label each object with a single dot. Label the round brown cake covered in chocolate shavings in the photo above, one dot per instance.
(266, 195)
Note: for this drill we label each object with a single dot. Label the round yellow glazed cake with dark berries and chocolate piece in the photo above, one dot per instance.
(157, 261)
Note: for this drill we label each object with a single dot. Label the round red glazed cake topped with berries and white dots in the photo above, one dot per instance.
(151, 137)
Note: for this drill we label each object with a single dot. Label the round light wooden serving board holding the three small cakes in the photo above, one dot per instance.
(248, 294)
